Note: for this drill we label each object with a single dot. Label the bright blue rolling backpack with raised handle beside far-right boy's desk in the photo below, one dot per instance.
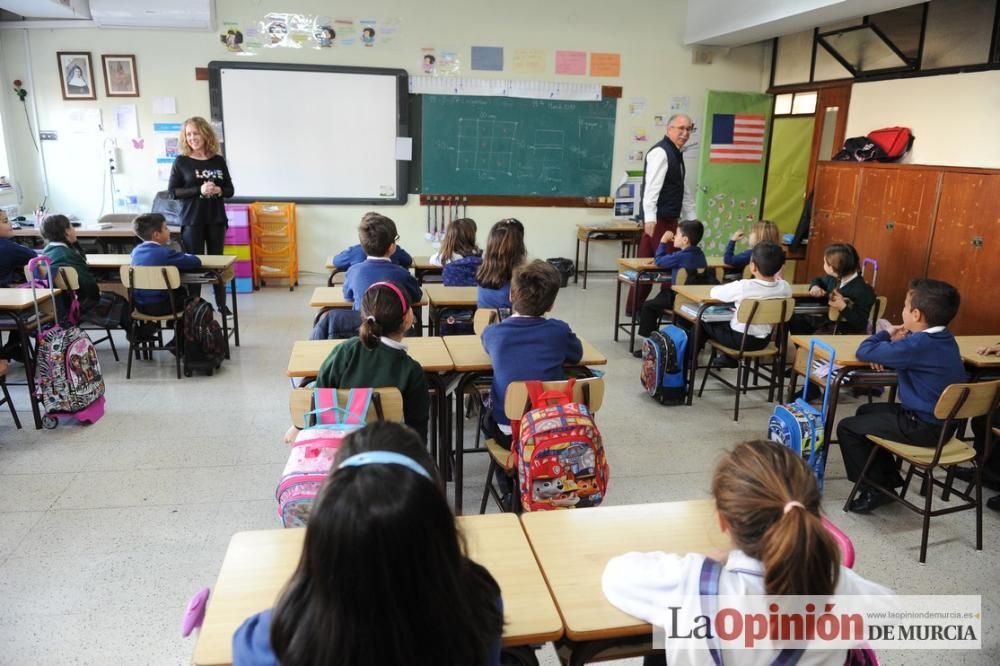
(800, 426)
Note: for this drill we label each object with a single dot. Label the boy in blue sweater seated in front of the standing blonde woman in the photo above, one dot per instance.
(155, 250)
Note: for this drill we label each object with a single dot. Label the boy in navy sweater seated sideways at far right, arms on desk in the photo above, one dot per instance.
(925, 356)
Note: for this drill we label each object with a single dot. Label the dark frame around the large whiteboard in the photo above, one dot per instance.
(215, 68)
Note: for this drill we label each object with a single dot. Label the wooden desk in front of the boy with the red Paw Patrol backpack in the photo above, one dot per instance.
(472, 362)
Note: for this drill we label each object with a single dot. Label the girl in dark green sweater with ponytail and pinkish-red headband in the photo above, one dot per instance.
(377, 357)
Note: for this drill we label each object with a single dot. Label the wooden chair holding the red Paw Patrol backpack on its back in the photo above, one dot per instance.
(589, 391)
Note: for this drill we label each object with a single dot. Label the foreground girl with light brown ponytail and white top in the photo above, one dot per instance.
(768, 503)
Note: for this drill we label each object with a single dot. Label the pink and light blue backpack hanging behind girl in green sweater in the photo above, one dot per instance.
(315, 448)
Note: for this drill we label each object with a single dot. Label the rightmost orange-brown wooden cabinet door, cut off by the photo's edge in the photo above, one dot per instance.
(966, 249)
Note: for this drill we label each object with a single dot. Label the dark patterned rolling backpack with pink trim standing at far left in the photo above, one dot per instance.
(68, 378)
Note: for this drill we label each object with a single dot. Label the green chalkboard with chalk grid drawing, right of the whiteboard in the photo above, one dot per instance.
(519, 147)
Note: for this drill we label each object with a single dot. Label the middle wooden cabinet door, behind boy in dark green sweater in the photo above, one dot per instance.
(895, 220)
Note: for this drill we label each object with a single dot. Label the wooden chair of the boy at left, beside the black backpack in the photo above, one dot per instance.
(160, 278)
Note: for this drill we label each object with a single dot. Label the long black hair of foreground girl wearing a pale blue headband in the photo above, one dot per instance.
(383, 578)
